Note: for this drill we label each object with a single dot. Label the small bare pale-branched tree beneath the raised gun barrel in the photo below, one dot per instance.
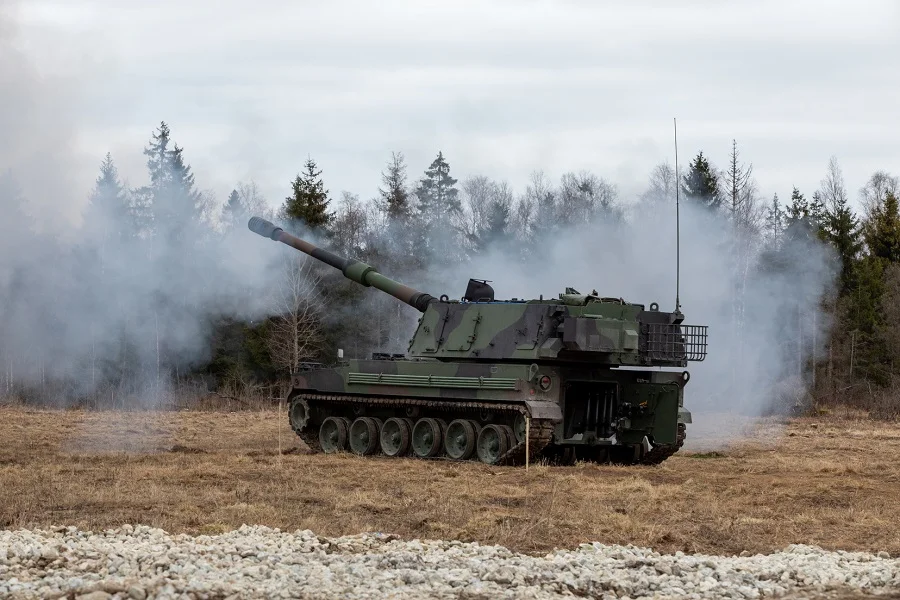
(296, 335)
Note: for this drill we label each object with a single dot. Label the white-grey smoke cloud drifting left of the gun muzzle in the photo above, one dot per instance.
(76, 306)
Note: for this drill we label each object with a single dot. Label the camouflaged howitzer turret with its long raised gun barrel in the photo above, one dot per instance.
(575, 328)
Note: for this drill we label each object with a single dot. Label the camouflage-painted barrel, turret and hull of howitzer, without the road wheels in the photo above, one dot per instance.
(556, 359)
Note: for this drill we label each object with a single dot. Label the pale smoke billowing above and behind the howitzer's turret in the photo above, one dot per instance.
(765, 321)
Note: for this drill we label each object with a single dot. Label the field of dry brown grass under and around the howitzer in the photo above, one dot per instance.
(832, 482)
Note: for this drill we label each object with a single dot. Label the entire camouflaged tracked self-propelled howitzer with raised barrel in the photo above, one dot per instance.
(578, 376)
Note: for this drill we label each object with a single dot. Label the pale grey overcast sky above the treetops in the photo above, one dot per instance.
(250, 89)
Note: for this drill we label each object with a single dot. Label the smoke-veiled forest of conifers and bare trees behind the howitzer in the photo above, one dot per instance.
(165, 295)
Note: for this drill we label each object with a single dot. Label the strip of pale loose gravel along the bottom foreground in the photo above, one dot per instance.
(251, 562)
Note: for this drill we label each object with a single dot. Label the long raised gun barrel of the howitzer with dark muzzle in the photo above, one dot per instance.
(352, 269)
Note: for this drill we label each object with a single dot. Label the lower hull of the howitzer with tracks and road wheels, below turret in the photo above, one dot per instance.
(487, 411)
